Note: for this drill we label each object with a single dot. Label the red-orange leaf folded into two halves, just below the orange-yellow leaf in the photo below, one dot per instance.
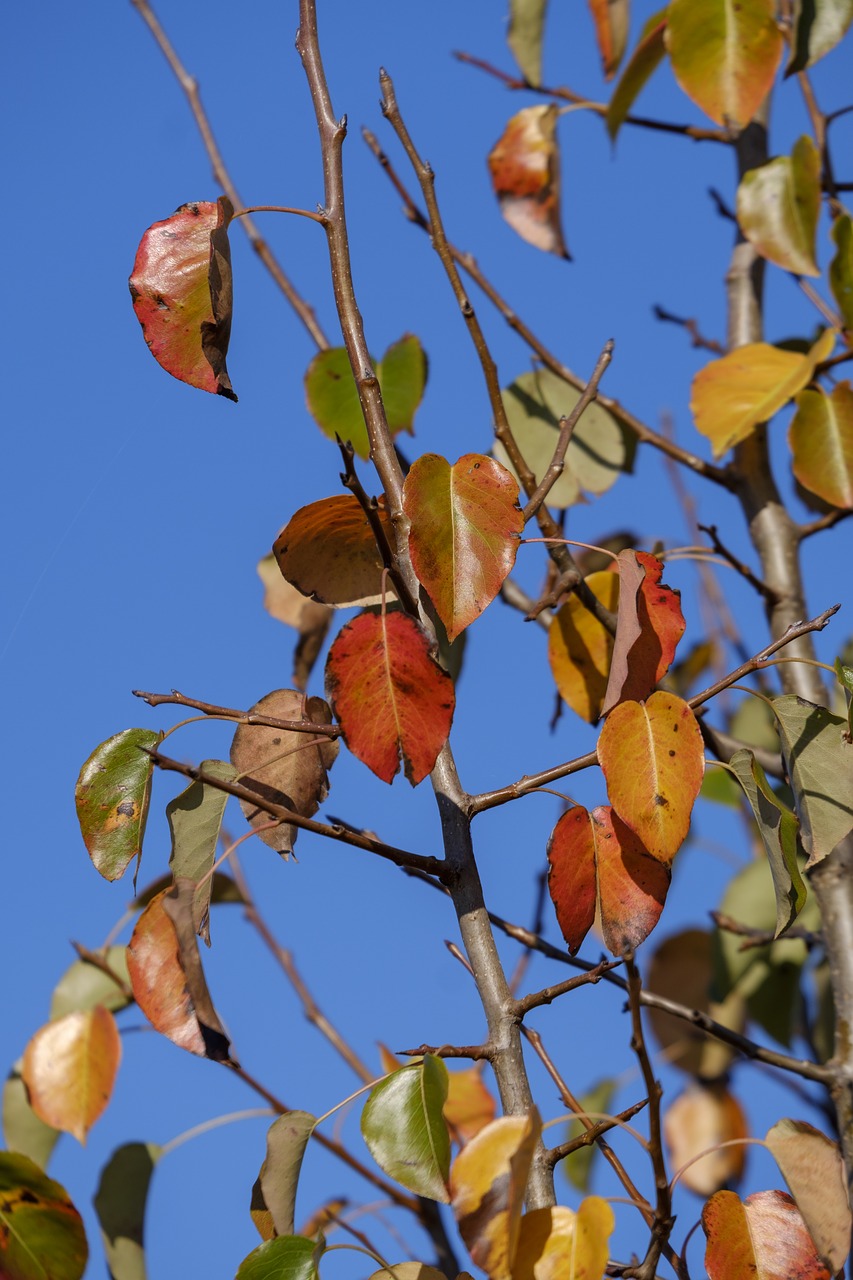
(595, 862)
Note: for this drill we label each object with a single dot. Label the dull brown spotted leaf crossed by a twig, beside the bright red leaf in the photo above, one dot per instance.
(285, 766)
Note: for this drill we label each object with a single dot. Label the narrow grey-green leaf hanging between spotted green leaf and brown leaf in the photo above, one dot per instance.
(195, 822)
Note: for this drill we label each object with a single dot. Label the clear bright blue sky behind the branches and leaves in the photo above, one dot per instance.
(136, 509)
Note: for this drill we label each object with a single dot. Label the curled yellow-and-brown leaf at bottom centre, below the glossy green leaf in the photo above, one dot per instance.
(489, 1182)
